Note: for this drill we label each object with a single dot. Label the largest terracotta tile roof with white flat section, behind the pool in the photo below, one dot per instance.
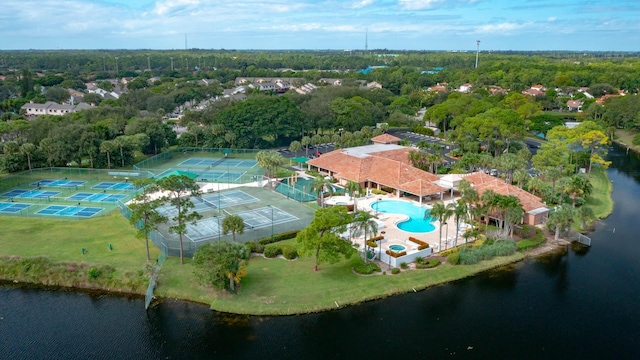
(389, 168)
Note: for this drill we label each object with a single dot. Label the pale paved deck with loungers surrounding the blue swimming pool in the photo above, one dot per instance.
(393, 235)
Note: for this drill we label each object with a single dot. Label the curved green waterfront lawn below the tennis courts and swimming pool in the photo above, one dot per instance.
(279, 287)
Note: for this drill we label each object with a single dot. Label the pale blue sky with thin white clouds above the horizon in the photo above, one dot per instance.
(576, 25)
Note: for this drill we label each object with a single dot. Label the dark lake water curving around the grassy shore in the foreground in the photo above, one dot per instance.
(578, 303)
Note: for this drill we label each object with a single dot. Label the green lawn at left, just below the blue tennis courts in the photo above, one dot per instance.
(63, 240)
